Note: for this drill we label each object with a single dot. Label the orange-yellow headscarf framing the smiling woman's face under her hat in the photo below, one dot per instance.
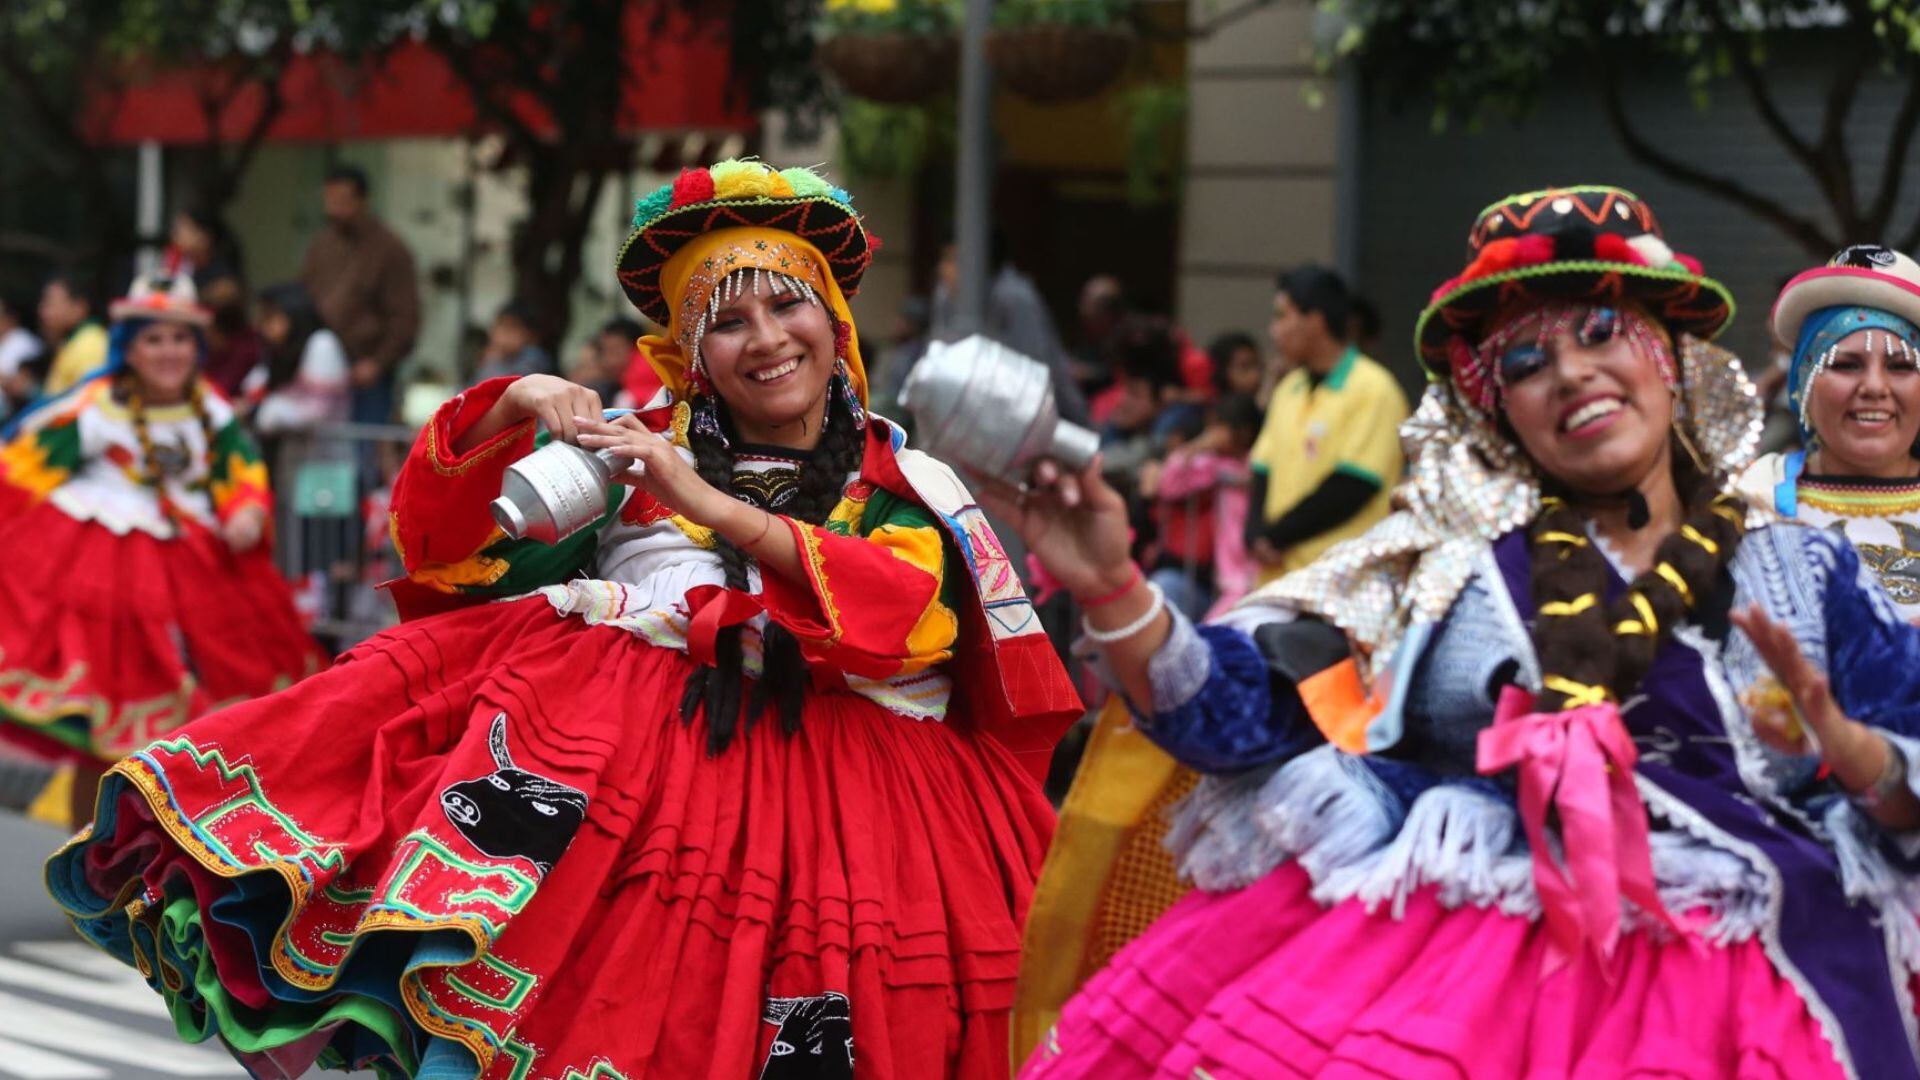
(690, 278)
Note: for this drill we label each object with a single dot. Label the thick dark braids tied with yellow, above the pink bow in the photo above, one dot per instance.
(1591, 650)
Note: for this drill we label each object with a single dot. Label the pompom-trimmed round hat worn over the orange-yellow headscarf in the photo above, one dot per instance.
(731, 195)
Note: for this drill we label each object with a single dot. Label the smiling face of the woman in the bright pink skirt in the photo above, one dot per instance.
(1587, 406)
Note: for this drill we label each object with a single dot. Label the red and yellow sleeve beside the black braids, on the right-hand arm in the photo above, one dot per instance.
(871, 606)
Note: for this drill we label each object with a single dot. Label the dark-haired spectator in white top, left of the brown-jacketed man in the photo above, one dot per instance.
(304, 381)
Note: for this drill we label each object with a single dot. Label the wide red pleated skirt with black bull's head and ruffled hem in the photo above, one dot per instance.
(489, 845)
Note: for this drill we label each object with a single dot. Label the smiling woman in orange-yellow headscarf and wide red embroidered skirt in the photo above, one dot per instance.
(738, 783)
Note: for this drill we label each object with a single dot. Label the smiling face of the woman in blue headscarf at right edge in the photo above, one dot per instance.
(1865, 408)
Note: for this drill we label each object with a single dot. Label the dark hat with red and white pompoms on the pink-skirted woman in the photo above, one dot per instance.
(1585, 245)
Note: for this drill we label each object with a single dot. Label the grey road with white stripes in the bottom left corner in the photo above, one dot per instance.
(66, 1010)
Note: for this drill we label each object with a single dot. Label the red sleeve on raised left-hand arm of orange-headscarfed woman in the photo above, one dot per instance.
(441, 499)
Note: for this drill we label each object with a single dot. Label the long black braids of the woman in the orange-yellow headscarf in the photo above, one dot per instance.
(719, 689)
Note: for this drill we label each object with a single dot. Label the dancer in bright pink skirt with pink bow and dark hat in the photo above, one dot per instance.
(1575, 766)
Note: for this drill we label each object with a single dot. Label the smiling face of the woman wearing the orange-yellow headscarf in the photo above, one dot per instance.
(771, 356)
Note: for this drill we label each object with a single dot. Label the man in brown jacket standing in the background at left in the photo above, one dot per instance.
(362, 280)
